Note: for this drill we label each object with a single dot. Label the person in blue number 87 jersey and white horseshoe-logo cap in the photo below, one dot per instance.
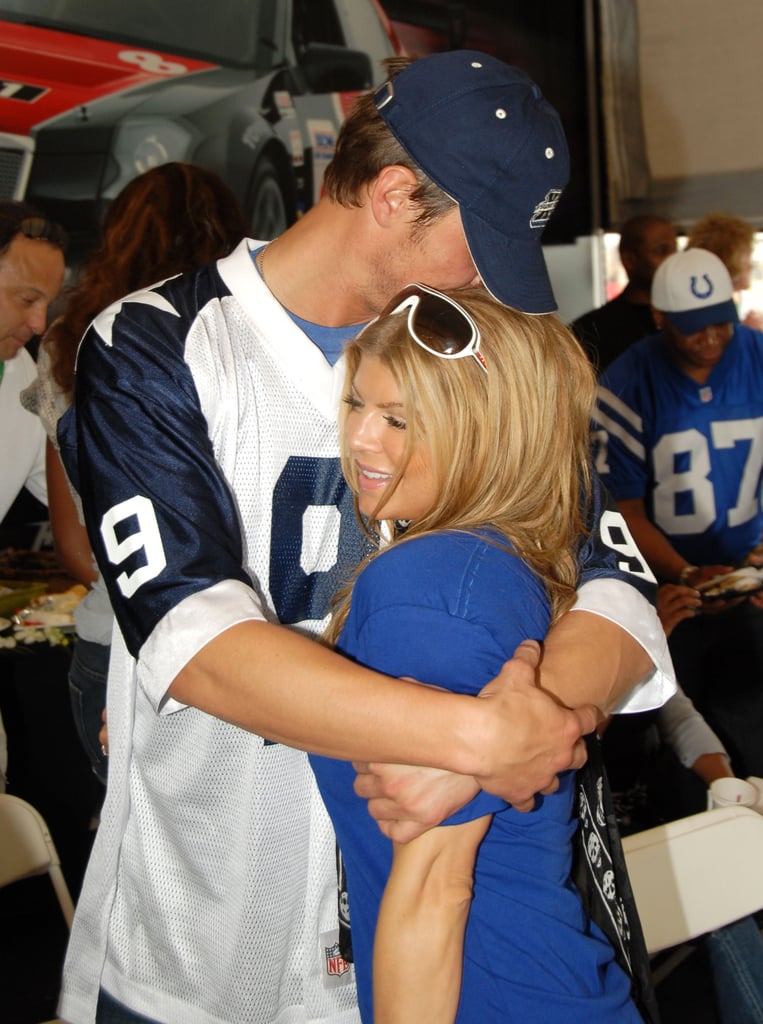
(680, 420)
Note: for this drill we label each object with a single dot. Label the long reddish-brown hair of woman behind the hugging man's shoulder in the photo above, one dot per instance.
(174, 219)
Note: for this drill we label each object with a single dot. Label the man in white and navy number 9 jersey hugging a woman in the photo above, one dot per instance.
(203, 441)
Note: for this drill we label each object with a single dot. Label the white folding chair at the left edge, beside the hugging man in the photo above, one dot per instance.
(27, 849)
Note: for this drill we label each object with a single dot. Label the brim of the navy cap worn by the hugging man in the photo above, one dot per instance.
(514, 272)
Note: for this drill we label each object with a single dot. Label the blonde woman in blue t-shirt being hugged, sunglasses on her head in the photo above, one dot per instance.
(455, 407)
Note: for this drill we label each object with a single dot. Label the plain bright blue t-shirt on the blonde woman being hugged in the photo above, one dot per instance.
(449, 610)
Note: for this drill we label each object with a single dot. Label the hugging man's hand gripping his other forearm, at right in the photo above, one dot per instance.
(533, 738)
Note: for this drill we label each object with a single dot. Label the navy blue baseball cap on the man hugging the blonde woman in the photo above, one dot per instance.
(506, 163)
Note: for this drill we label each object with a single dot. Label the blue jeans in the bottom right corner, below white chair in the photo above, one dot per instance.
(737, 965)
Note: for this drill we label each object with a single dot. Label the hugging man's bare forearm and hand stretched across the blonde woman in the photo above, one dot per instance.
(283, 687)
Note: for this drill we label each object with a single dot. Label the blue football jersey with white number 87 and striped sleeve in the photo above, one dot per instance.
(694, 453)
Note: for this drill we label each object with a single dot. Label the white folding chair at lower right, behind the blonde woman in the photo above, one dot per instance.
(693, 876)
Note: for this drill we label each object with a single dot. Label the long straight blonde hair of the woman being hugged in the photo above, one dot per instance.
(510, 449)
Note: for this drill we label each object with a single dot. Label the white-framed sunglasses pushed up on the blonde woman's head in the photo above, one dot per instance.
(437, 323)
